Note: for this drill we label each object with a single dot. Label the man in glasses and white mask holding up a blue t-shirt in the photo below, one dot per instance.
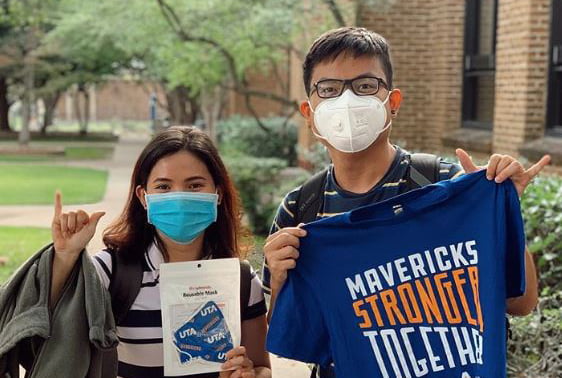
(350, 107)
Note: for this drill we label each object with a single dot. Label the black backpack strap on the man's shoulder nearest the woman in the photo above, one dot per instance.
(310, 198)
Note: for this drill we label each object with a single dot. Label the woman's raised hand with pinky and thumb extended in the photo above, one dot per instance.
(72, 231)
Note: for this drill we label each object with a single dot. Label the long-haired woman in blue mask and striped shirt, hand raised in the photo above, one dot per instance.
(183, 161)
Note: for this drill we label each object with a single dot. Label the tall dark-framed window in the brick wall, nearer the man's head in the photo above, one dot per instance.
(479, 64)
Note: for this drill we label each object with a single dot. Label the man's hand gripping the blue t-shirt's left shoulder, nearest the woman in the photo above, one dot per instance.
(281, 252)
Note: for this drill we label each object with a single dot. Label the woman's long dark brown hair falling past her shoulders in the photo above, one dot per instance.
(131, 233)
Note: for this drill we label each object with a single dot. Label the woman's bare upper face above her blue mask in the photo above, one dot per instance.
(180, 172)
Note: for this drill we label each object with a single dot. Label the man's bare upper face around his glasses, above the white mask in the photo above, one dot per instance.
(346, 67)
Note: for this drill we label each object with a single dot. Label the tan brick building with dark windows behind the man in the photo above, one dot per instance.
(485, 75)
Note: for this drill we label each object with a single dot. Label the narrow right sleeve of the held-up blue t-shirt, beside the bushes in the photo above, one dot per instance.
(514, 244)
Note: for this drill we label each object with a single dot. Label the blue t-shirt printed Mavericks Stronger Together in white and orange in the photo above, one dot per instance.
(413, 286)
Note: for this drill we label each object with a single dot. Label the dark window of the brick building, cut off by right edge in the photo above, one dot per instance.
(554, 110)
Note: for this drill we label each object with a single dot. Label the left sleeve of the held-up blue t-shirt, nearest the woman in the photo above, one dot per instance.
(297, 329)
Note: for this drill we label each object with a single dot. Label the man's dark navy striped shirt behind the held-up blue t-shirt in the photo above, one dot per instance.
(337, 200)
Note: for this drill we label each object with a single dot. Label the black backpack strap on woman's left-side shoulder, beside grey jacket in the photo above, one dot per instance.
(126, 280)
